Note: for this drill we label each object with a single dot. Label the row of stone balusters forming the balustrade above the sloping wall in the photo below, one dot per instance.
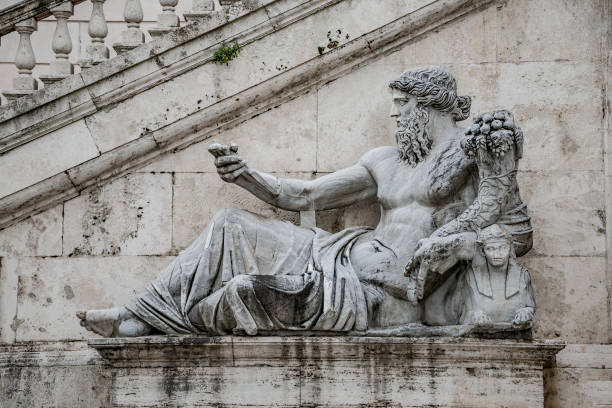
(24, 15)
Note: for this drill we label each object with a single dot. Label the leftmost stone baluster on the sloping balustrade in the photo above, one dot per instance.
(24, 83)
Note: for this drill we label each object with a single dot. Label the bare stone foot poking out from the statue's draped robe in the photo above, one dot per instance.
(115, 322)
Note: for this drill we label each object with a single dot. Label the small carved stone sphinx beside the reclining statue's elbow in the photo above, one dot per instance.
(495, 288)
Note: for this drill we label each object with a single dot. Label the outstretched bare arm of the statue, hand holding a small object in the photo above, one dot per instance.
(338, 189)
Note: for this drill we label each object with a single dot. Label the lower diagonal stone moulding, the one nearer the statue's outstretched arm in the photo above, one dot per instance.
(227, 113)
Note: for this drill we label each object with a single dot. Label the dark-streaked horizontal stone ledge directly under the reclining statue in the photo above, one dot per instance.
(236, 350)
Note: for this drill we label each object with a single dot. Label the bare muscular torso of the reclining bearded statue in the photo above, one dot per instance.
(408, 197)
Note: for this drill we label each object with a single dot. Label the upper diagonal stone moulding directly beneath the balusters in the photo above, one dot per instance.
(162, 56)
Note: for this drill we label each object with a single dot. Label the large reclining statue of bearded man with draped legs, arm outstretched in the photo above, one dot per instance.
(250, 274)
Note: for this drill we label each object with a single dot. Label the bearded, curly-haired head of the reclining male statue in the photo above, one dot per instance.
(416, 94)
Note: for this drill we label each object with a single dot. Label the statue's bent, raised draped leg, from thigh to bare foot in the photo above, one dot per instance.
(235, 242)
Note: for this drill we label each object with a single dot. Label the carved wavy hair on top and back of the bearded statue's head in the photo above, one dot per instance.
(434, 86)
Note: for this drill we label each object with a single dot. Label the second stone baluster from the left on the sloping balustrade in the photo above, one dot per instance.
(61, 45)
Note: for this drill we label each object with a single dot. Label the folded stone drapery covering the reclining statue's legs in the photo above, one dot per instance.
(248, 272)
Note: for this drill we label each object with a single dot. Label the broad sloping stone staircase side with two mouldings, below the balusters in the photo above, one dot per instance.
(165, 95)
